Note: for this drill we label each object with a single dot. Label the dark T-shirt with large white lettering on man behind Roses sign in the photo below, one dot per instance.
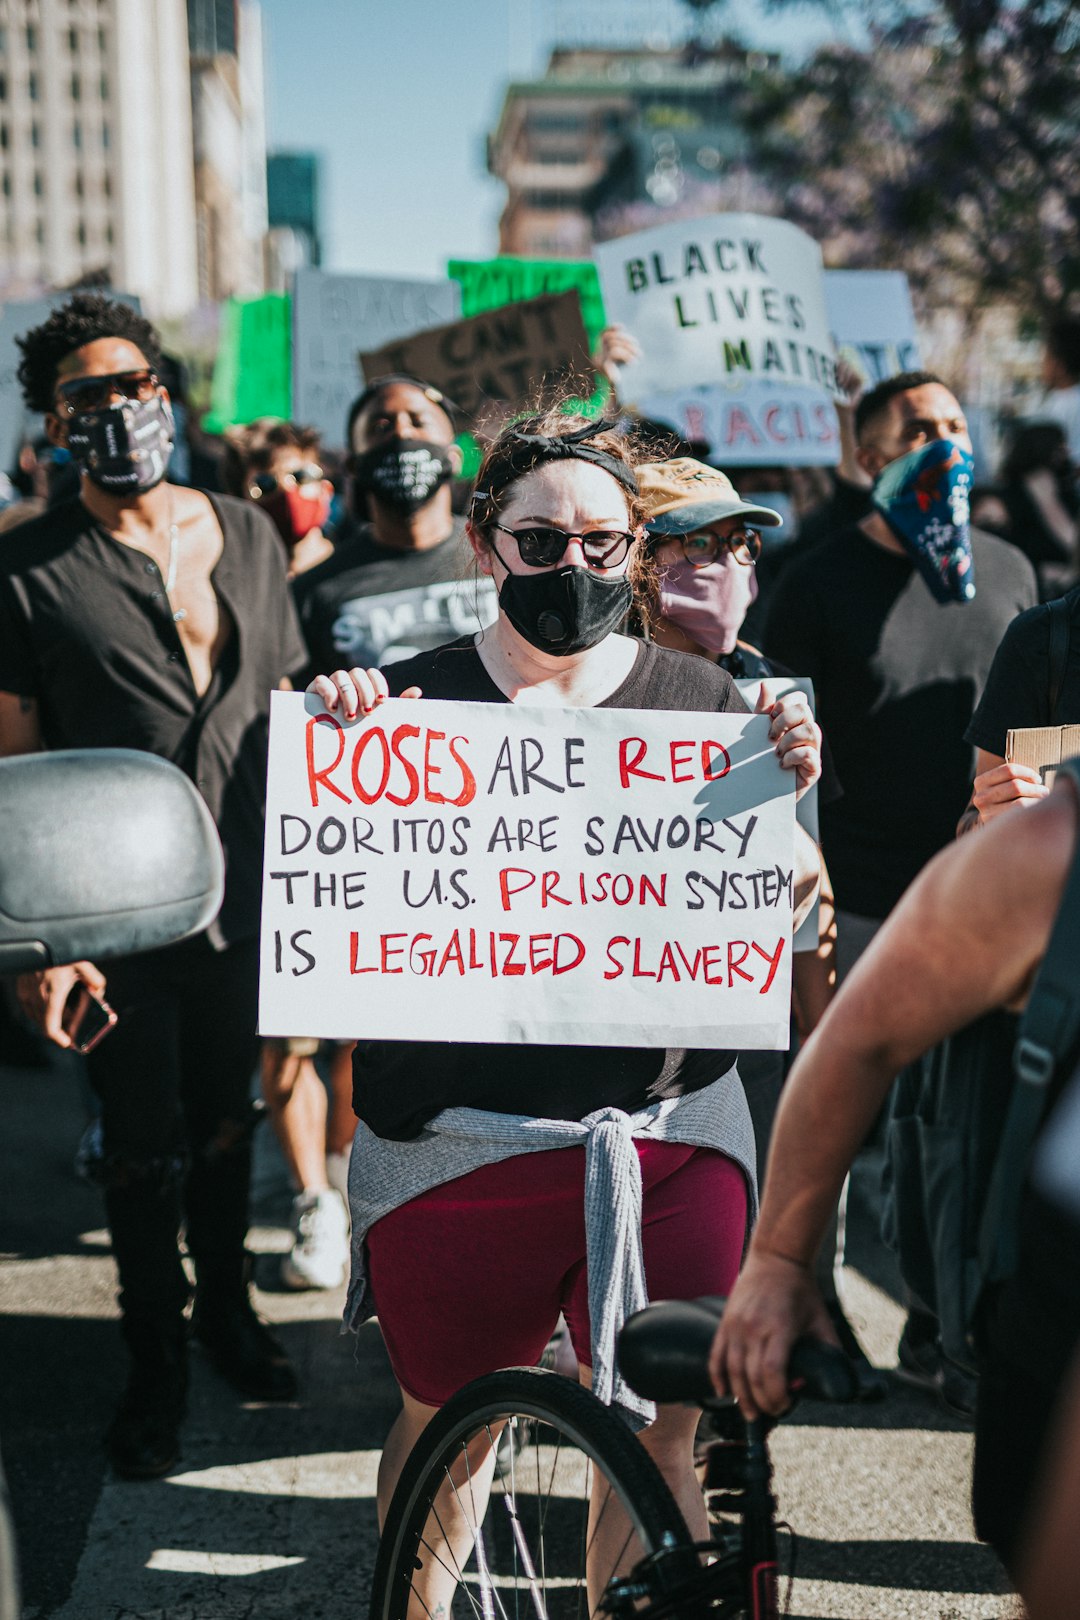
(370, 605)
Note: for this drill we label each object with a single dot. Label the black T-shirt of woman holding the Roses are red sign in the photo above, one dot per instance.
(401, 1085)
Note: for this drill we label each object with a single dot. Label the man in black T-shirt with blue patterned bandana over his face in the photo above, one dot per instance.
(896, 620)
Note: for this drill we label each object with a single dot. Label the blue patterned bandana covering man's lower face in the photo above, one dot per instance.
(924, 498)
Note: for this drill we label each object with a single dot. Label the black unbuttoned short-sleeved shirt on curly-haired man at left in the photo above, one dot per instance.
(87, 631)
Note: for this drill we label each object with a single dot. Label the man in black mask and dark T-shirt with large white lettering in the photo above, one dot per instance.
(399, 581)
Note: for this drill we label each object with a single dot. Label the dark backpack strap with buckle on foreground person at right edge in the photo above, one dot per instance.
(1050, 1031)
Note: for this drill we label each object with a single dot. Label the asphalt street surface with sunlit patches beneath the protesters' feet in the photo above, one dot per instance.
(271, 1511)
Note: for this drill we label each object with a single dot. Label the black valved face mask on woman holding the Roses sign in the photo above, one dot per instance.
(566, 612)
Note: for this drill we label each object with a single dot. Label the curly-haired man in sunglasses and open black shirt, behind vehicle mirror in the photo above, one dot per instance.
(142, 615)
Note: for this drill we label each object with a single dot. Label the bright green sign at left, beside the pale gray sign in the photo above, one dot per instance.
(253, 367)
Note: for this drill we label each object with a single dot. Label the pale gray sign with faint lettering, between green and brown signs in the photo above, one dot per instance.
(336, 317)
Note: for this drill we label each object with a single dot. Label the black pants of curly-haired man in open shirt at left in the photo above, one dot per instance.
(174, 1080)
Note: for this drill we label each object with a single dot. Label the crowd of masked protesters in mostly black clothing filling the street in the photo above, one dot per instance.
(592, 563)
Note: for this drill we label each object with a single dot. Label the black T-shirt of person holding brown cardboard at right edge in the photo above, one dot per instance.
(1018, 688)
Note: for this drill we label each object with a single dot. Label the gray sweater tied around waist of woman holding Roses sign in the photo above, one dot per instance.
(386, 1174)
